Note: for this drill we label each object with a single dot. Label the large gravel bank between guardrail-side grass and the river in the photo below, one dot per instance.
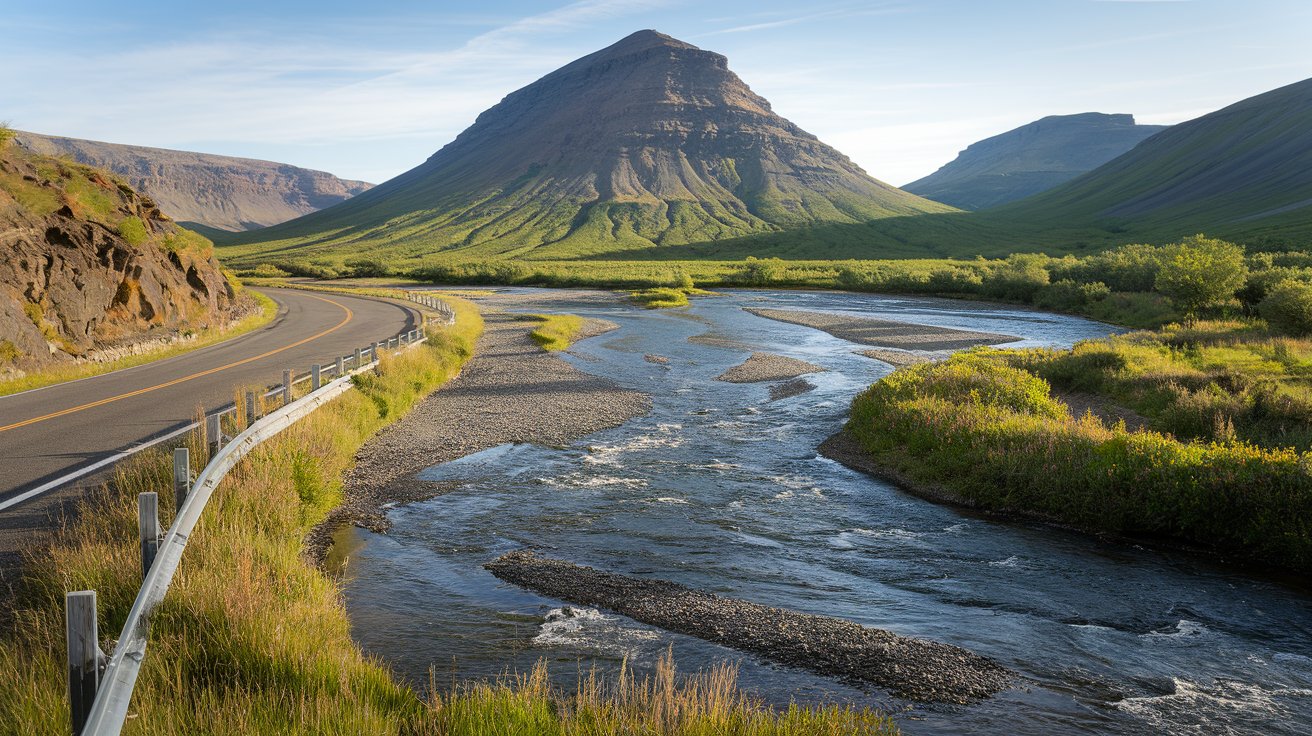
(511, 392)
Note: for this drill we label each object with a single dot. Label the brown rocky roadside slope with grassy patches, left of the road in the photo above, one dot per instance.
(90, 266)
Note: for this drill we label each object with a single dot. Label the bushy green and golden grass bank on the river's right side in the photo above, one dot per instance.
(989, 434)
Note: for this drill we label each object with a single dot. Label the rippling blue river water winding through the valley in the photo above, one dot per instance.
(721, 489)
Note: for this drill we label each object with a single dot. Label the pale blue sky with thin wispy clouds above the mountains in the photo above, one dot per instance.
(371, 90)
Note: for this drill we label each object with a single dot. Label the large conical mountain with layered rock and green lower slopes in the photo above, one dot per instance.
(649, 142)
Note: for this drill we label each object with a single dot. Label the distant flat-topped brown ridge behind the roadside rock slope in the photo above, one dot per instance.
(218, 192)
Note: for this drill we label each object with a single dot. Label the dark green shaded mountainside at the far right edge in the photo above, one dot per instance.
(1244, 173)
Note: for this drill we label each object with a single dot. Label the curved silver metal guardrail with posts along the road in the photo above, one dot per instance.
(111, 680)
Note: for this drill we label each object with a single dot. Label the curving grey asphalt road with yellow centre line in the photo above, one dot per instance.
(51, 432)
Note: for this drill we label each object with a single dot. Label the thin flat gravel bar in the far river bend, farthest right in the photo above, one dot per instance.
(886, 334)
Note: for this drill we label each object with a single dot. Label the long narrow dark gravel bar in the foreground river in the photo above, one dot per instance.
(909, 668)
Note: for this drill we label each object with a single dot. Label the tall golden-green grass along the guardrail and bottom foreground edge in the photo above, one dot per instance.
(255, 640)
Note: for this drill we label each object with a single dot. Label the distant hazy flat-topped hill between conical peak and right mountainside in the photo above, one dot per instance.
(1032, 159)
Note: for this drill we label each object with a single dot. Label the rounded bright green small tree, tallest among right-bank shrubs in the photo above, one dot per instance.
(1201, 272)
